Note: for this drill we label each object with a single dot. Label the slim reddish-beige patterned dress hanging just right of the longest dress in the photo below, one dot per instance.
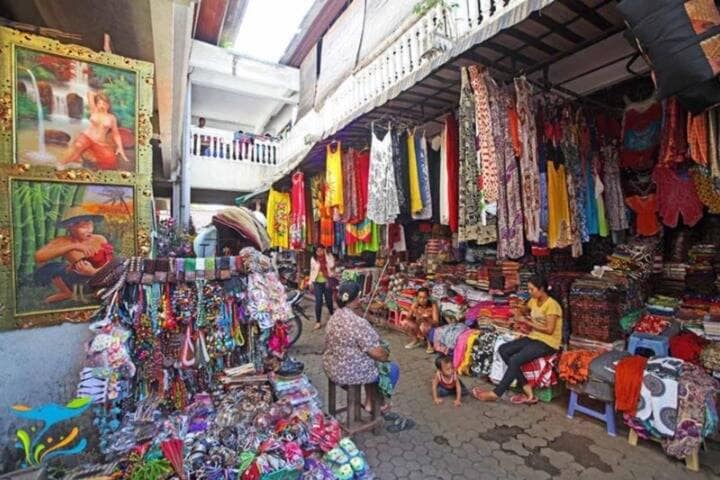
(528, 159)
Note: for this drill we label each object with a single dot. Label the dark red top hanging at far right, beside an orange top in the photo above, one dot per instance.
(677, 195)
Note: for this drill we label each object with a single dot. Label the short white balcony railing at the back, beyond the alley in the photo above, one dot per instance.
(222, 144)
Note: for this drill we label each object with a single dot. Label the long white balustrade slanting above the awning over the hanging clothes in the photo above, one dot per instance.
(437, 33)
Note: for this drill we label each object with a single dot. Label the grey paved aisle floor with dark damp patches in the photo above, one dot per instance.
(488, 441)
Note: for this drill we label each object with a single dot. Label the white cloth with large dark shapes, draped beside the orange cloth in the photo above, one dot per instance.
(659, 394)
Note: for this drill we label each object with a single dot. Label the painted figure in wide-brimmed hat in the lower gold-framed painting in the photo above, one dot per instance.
(80, 254)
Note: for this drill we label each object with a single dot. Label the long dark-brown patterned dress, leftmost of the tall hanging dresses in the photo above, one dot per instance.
(471, 206)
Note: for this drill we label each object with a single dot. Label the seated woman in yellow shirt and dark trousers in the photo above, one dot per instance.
(543, 314)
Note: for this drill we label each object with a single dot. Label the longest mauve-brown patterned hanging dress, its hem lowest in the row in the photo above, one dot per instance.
(510, 238)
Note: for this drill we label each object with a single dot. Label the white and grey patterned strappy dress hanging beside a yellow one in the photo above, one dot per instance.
(383, 205)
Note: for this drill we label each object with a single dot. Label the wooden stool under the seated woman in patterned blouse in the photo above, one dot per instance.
(354, 408)
